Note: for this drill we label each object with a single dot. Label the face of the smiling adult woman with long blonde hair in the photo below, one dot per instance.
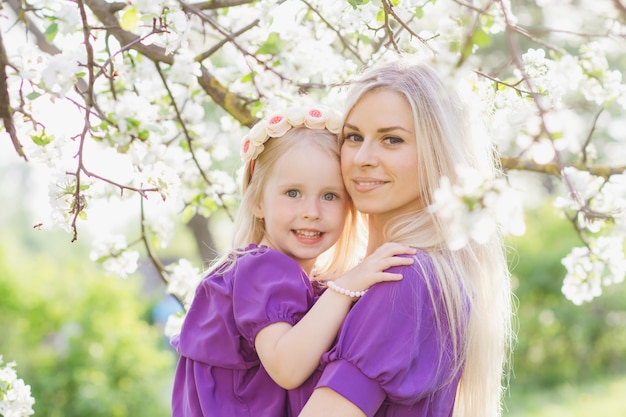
(379, 155)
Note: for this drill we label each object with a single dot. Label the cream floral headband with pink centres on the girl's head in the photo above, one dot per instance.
(277, 124)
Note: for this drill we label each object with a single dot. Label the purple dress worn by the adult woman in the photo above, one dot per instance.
(387, 358)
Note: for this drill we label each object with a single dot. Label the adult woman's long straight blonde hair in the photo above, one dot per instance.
(477, 274)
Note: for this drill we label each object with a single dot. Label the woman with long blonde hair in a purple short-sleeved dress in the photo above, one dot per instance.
(435, 343)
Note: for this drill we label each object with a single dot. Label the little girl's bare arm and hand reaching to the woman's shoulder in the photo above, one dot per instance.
(290, 354)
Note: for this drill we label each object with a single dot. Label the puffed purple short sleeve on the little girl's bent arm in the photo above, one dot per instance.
(269, 287)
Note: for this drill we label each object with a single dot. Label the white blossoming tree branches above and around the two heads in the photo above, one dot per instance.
(165, 90)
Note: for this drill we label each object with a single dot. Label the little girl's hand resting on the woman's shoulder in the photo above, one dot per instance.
(372, 269)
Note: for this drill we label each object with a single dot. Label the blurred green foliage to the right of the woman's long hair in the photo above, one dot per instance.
(558, 341)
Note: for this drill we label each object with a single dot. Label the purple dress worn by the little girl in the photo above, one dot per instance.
(219, 372)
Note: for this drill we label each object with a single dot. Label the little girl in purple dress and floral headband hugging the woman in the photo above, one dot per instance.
(256, 326)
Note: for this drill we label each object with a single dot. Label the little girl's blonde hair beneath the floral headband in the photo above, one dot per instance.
(247, 229)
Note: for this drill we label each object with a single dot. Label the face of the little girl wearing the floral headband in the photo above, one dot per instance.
(304, 204)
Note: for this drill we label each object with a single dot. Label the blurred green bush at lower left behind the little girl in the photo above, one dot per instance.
(81, 339)
